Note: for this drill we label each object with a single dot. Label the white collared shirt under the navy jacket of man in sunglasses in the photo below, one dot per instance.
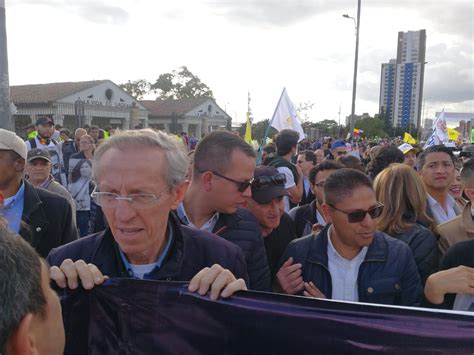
(344, 273)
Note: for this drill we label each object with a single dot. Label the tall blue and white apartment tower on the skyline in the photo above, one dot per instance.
(401, 84)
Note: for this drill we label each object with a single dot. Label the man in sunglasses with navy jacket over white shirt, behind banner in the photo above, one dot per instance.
(349, 260)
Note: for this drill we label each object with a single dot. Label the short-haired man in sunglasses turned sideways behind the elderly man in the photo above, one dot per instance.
(222, 174)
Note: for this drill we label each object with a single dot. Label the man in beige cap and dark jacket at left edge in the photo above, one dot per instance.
(41, 217)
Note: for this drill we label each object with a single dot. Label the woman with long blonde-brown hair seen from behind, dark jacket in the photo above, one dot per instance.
(401, 191)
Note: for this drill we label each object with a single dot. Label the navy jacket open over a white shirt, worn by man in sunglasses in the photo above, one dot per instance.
(388, 275)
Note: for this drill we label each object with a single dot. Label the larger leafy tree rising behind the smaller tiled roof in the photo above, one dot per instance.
(180, 84)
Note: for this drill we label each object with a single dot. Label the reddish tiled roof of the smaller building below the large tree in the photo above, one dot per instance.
(165, 108)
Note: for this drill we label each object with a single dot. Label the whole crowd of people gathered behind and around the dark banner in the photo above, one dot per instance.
(380, 222)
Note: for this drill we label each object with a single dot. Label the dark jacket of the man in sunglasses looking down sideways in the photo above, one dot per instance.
(242, 229)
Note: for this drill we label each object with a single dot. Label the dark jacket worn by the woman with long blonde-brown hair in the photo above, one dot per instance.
(424, 246)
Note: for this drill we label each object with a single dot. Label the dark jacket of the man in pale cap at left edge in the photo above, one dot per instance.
(47, 218)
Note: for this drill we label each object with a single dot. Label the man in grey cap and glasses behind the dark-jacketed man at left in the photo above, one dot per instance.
(38, 173)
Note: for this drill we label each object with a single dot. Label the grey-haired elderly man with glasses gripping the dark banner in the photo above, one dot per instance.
(140, 178)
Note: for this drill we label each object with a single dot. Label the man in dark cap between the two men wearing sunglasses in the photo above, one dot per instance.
(266, 204)
